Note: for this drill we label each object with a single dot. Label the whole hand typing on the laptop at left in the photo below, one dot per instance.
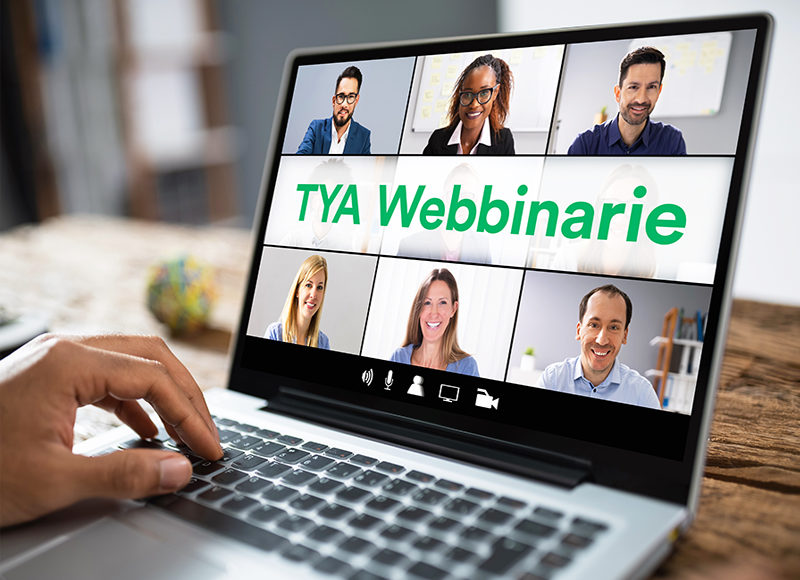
(41, 386)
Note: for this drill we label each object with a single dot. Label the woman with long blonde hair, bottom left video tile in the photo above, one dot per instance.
(300, 318)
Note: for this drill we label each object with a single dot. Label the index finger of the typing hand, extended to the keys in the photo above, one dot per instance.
(100, 373)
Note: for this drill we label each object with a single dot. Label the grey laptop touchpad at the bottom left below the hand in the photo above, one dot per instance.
(111, 549)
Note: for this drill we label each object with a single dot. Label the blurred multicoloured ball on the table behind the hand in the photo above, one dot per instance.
(180, 293)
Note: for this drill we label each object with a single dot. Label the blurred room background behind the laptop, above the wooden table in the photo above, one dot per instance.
(162, 109)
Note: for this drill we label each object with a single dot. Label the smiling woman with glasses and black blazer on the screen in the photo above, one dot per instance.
(478, 109)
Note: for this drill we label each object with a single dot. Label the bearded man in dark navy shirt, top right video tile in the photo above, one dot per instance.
(632, 132)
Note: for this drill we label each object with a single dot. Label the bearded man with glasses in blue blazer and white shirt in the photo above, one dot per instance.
(339, 134)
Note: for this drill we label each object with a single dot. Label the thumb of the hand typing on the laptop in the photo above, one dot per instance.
(132, 473)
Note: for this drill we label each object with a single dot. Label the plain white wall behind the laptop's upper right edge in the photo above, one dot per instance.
(768, 267)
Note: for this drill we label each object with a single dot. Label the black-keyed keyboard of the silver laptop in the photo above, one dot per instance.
(354, 516)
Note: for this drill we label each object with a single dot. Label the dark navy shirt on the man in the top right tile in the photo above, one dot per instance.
(656, 139)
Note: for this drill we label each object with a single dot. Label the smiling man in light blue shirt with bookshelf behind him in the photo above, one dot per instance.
(604, 315)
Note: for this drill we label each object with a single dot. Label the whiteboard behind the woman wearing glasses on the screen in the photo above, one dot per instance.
(536, 71)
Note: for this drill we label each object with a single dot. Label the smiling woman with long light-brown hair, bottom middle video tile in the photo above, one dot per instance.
(431, 333)
